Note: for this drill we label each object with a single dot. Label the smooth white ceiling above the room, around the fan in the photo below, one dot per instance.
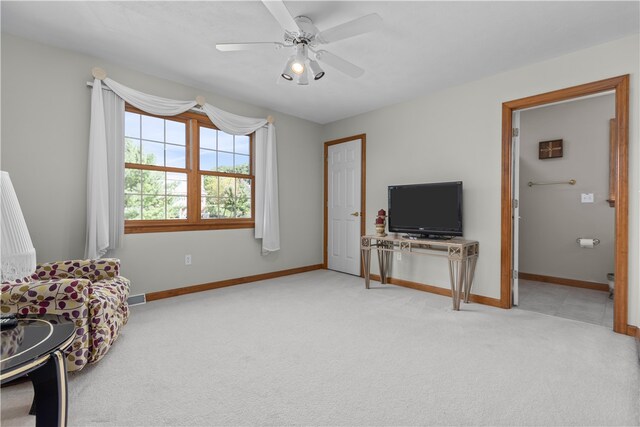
(420, 48)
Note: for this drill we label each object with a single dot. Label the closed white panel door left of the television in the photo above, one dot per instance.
(343, 206)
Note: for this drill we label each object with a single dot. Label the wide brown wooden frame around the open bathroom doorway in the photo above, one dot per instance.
(620, 85)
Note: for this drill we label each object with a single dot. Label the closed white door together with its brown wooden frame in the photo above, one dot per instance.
(344, 203)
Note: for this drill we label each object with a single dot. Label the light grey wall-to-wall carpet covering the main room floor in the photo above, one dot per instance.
(319, 349)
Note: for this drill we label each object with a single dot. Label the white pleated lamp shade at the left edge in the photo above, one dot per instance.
(18, 256)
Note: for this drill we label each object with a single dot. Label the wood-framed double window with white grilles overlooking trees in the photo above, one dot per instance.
(181, 173)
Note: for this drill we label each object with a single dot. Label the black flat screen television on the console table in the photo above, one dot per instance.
(426, 210)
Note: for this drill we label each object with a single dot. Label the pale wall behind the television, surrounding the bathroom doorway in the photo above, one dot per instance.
(455, 134)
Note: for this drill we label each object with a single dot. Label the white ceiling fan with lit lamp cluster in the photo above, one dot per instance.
(303, 37)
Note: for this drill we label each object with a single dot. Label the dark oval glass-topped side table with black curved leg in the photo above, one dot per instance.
(35, 348)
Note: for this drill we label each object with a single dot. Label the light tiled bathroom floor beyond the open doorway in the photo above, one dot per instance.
(580, 304)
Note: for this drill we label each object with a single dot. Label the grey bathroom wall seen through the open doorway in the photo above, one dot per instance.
(552, 216)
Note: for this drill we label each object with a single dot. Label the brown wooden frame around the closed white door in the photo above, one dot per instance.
(363, 186)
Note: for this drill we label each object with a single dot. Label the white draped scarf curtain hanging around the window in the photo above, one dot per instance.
(105, 178)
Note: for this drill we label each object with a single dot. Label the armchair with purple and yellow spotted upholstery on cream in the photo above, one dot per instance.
(90, 293)
